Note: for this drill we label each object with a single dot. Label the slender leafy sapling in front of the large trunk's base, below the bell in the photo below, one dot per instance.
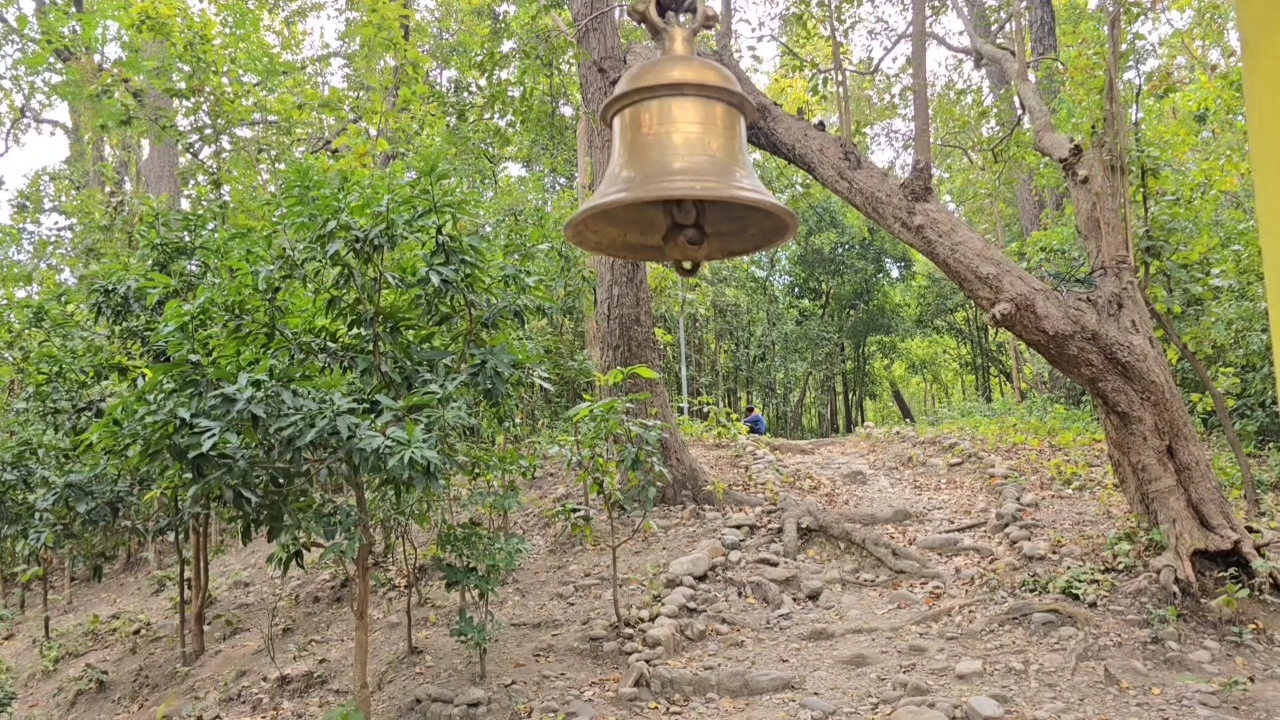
(616, 454)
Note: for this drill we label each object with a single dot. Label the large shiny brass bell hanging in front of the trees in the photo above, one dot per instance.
(680, 188)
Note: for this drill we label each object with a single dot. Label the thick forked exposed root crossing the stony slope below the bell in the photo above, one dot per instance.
(845, 527)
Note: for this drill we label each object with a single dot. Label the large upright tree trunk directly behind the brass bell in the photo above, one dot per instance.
(624, 308)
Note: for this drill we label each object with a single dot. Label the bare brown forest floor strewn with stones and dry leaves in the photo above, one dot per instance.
(1027, 600)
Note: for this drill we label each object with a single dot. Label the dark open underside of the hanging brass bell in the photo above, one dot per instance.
(642, 230)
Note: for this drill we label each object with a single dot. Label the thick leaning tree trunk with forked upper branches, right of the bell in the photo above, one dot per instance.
(1101, 340)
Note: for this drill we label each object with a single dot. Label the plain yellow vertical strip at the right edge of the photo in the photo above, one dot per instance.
(1259, 24)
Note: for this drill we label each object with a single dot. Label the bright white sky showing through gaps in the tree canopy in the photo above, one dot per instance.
(45, 147)
